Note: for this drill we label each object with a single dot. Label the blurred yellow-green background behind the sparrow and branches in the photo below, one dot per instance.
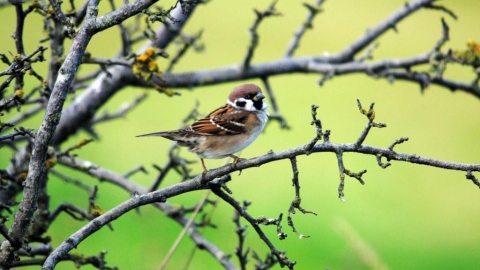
(405, 217)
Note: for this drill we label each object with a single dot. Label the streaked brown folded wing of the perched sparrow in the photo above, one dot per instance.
(225, 120)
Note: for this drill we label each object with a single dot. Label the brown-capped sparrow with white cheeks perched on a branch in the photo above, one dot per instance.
(226, 130)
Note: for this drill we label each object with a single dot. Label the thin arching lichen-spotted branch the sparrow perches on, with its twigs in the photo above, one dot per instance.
(202, 182)
